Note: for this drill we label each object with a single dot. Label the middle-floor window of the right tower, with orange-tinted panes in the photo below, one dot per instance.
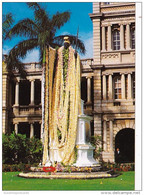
(117, 88)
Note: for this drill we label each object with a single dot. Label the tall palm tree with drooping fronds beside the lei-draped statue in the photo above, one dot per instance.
(40, 33)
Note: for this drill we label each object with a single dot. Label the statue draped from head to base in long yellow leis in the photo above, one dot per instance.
(61, 104)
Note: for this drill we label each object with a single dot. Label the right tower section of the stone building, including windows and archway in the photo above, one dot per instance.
(114, 76)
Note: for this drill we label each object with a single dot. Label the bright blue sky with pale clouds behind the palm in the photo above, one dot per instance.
(79, 18)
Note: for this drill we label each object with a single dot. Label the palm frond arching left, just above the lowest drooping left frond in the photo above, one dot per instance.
(25, 27)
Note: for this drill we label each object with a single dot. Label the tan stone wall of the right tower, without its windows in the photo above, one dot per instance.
(117, 114)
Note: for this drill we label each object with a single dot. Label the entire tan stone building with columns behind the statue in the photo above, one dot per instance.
(107, 84)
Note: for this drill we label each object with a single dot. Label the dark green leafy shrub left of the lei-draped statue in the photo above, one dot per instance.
(18, 149)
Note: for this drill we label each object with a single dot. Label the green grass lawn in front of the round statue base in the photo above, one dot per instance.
(10, 181)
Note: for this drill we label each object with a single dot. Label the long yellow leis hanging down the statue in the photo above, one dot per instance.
(64, 108)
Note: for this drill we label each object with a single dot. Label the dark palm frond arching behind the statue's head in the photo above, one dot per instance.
(73, 40)
